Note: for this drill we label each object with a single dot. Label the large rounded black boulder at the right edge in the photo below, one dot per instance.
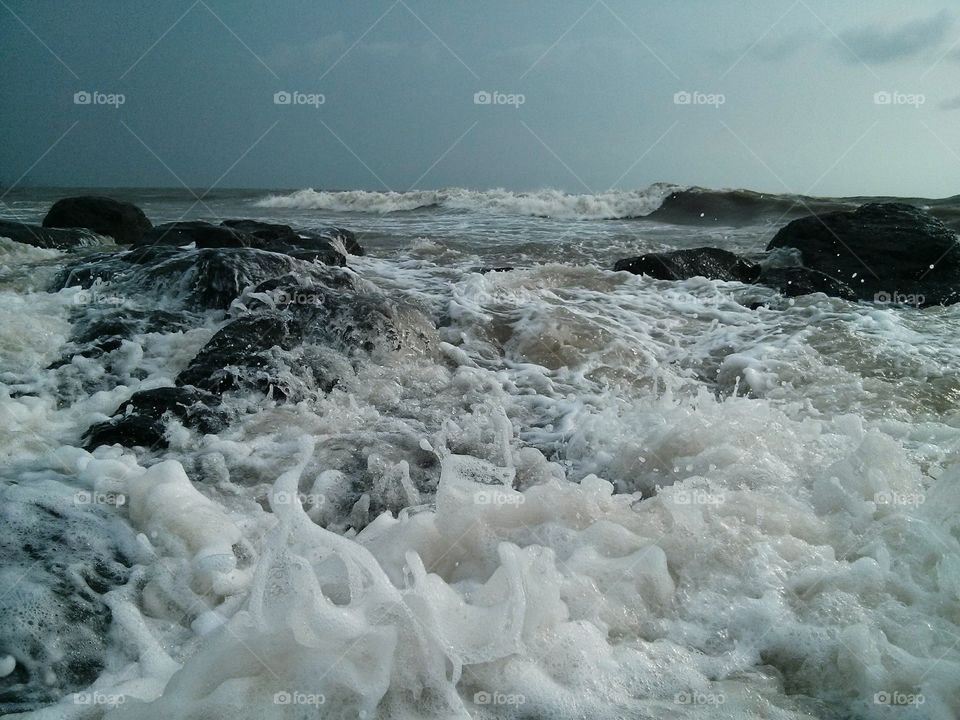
(880, 250)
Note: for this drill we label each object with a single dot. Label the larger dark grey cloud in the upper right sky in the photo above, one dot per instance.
(874, 43)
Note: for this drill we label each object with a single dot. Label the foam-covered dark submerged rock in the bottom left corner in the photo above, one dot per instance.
(61, 550)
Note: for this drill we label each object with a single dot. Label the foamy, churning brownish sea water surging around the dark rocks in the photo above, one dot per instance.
(580, 493)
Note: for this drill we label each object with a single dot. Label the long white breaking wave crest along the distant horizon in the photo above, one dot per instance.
(542, 203)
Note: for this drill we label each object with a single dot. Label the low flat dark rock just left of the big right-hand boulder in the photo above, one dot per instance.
(711, 263)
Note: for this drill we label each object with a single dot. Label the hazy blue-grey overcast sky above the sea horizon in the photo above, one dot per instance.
(782, 96)
